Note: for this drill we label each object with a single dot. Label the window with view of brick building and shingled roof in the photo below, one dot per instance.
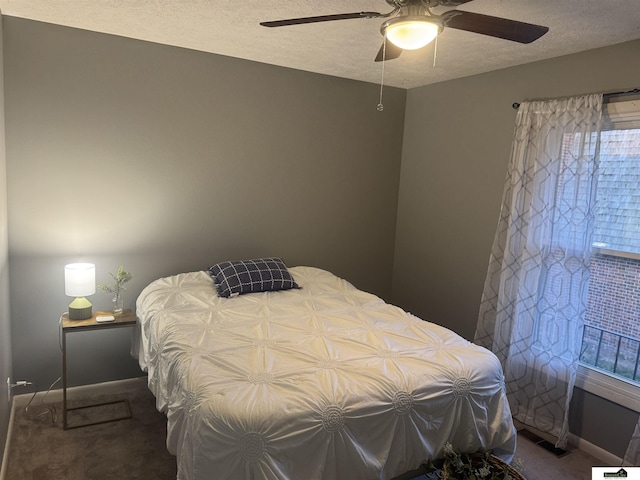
(611, 340)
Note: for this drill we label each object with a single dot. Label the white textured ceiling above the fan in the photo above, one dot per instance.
(344, 48)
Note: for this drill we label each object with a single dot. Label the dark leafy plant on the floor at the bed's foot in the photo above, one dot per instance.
(481, 465)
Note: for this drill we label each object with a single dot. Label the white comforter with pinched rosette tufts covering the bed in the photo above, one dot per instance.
(324, 382)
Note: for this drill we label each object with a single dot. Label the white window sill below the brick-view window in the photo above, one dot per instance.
(608, 387)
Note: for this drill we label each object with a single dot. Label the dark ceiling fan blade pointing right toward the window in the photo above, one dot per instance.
(494, 26)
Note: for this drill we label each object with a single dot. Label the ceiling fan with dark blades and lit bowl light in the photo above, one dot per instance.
(412, 25)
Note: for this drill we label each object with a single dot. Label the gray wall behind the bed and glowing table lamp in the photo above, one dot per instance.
(167, 160)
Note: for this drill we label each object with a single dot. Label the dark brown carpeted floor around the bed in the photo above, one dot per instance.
(135, 448)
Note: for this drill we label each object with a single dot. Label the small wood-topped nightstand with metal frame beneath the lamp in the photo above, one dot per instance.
(125, 319)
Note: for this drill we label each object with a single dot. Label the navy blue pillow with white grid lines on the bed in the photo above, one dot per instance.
(248, 276)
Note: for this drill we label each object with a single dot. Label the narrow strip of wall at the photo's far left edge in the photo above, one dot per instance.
(5, 325)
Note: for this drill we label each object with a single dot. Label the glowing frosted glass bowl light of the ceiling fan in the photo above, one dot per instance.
(411, 32)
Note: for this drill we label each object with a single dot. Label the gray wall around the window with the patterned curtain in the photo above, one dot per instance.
(456, 148)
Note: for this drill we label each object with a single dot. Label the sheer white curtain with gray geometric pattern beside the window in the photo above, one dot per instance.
(534, 299)
